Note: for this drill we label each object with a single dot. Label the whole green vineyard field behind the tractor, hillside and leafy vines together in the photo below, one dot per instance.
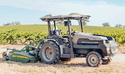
(23, 34)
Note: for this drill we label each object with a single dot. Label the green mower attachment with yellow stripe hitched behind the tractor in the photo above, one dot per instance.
(27, 54)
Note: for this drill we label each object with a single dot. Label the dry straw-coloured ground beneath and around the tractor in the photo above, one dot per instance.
(76, 66)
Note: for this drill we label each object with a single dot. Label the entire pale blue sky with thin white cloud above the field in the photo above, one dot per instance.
(30, 11)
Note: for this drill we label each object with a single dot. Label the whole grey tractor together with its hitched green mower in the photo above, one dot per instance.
(97, 49)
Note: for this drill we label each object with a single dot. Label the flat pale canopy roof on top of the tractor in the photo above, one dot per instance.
(75, 16)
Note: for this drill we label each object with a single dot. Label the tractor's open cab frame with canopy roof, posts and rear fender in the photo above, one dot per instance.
(67, 22)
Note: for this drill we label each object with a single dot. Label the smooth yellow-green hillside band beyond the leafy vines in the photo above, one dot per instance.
(44, 28)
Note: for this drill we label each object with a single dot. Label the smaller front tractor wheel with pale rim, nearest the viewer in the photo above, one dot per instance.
(94, 59)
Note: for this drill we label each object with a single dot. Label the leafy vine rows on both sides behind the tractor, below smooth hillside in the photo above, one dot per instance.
(14, 37)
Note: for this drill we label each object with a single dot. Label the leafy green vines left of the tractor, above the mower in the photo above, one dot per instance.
(12, 37)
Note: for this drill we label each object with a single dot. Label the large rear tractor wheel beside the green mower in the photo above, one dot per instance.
(49, 53)
